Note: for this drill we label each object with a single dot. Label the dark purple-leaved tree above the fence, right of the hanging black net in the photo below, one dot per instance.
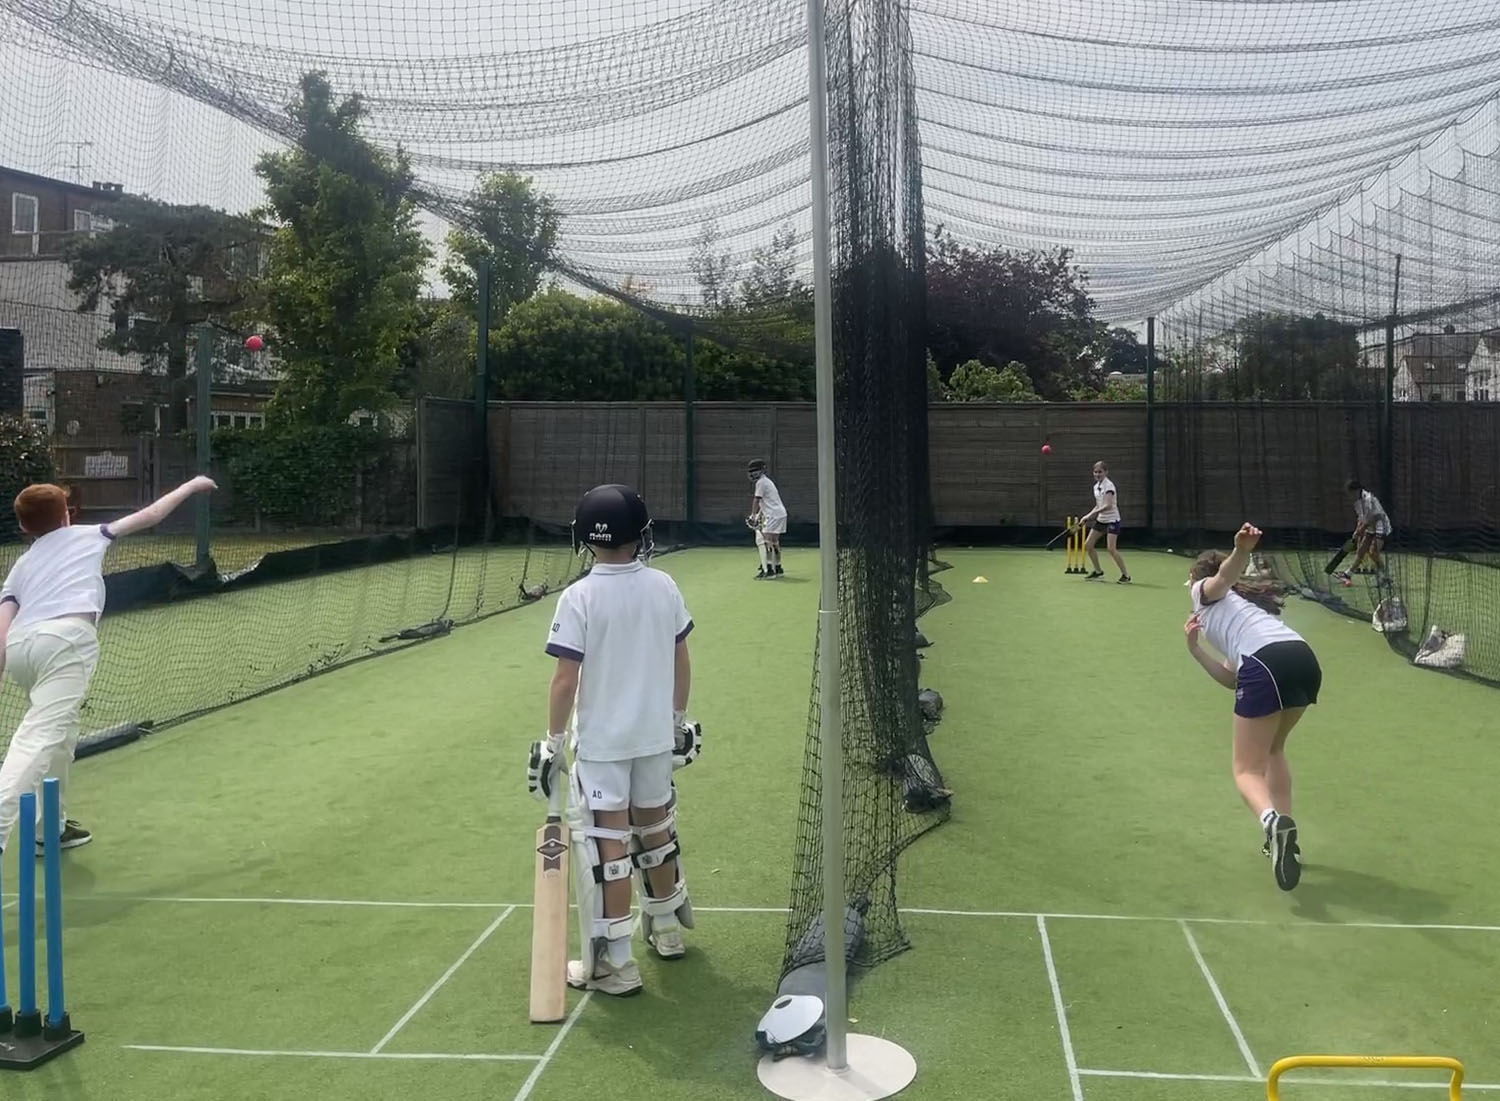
(1000, 307)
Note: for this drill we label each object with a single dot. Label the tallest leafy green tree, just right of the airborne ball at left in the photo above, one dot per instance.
(346, 263)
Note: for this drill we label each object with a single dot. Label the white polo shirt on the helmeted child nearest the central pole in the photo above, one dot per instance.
(623, 625)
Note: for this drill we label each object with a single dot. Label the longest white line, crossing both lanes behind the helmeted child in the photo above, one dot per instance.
(1022, 916)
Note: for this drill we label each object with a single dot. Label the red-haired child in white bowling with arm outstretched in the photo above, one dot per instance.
(50, 610)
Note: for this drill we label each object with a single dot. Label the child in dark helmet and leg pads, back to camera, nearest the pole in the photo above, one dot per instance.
(623, 673)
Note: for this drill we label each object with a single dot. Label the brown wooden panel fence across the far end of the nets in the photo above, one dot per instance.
(1214, 464)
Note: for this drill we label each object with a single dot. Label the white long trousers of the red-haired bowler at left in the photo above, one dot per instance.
(52, 662)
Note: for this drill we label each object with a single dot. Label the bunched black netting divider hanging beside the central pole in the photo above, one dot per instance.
(884, 497)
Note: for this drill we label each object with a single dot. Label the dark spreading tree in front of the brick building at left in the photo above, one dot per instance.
(166, 269)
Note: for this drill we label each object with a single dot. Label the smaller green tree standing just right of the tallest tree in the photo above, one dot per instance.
(517, 227)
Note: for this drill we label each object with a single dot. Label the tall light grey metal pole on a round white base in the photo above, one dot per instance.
(856, 1067)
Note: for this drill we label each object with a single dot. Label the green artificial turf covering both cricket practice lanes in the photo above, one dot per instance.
(307, 871)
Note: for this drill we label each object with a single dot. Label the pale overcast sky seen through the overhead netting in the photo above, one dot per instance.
(1202, 158)
